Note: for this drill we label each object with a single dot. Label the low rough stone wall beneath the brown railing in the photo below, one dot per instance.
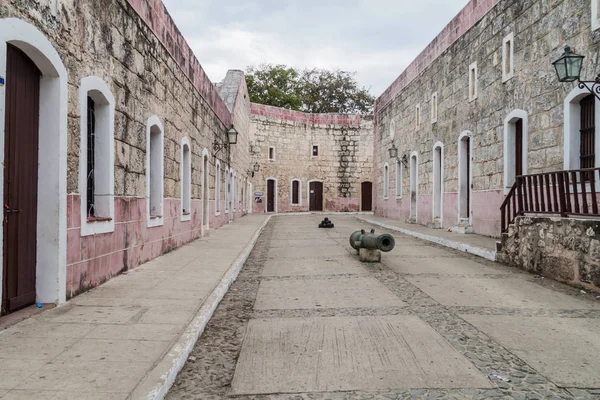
(564, 249)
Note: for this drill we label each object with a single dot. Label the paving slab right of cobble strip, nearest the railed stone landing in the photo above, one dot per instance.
(494, 292)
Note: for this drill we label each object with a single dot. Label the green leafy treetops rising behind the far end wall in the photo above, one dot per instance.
(310, 90)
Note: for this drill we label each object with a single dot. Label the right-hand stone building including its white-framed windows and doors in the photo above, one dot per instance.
(481, 105)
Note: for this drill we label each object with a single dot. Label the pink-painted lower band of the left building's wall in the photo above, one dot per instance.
(92, 260)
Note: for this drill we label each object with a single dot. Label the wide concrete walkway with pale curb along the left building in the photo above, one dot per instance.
(128, 338)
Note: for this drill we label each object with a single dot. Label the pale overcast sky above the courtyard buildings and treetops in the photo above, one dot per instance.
(375, 38)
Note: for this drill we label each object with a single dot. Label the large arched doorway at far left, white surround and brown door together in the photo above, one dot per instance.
(37, 77)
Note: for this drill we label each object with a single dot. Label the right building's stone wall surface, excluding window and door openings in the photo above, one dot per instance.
(540, 29)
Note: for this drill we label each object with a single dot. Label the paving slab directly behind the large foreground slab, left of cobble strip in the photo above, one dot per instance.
(326, 293)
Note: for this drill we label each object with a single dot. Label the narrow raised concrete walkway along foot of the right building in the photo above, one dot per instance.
(478, 245)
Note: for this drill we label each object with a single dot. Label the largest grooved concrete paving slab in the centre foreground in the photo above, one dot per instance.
(348, 353)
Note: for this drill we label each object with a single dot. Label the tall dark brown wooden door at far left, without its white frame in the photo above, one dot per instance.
(20, 180)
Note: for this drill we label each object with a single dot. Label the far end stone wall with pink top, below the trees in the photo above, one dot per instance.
(344, 160)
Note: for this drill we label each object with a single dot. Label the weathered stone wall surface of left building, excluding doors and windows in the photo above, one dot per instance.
(135, 48)
